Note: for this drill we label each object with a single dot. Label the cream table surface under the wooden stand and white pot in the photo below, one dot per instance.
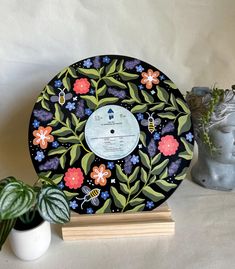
(204, 238)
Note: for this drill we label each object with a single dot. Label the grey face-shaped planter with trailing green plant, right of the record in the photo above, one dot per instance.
(213, 114)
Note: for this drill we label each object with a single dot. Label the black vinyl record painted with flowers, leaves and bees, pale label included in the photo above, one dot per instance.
(114, 133)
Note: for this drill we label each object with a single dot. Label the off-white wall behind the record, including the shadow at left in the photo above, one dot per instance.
(192, 41)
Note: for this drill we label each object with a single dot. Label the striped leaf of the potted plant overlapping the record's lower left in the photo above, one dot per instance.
(53, 205)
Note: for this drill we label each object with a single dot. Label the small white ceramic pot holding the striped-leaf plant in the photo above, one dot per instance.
(31, 244)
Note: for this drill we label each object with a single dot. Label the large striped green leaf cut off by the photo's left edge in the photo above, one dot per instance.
(16, 198)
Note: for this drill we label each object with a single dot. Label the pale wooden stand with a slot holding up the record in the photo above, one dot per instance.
(146, 223)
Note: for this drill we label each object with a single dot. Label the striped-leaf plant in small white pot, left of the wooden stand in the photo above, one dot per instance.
(26, 212)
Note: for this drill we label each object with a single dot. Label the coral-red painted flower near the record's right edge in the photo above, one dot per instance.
(168, 145)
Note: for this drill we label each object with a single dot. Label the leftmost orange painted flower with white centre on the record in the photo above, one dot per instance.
(43, 136)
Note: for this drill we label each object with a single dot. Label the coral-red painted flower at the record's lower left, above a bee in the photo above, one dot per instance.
(74, 178)
